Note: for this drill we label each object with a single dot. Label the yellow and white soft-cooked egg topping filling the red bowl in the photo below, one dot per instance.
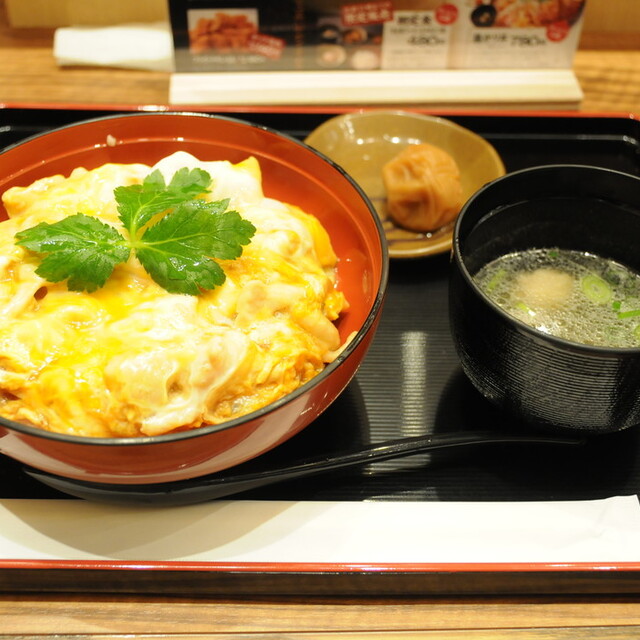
(131, 359)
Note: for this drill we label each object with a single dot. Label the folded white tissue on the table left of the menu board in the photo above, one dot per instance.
(129, 46)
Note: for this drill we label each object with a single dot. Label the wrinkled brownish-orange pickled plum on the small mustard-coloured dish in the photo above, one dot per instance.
(423, 187)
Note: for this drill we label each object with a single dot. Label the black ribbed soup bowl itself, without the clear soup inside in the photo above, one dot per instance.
(540, 379)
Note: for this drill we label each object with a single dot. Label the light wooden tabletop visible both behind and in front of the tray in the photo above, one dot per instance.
(28, 75)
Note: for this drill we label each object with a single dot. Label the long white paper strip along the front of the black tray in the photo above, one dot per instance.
(324, 532)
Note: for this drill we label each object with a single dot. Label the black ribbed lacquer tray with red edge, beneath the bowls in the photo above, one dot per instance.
(411, 384)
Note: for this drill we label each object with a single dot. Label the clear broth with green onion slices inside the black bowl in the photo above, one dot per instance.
(573, 295)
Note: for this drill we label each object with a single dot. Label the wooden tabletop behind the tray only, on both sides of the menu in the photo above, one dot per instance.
(610, 78)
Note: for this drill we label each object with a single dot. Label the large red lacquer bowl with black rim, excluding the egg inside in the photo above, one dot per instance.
(292, 172)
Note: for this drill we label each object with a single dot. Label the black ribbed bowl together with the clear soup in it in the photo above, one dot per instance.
(545, 296)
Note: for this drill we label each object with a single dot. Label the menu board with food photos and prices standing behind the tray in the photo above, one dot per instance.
(254, 35)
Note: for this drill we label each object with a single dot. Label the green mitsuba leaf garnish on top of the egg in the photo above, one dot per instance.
(175, 234)
